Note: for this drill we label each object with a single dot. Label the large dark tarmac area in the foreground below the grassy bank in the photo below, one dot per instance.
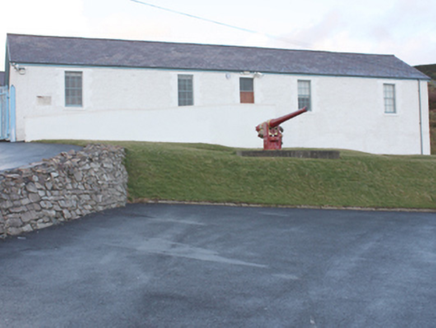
(211, 266)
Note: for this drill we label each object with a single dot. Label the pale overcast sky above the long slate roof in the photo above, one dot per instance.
(405, 28)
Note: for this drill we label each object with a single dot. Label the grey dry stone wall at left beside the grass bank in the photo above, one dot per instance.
(62, 188)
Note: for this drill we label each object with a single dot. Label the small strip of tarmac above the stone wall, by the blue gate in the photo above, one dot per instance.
(18, 154)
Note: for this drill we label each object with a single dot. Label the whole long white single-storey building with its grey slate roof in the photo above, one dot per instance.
(97, 89)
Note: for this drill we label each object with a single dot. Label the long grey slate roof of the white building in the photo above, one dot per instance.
(147, 54)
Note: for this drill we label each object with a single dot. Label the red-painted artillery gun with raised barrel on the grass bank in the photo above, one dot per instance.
(271, 131)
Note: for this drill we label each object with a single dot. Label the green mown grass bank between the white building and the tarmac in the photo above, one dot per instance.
(199, 172)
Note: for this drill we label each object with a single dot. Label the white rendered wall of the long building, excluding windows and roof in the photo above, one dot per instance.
(141, 104)
